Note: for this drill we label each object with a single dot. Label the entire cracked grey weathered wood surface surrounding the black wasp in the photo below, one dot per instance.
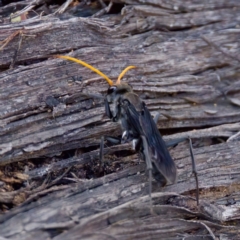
(187, 58)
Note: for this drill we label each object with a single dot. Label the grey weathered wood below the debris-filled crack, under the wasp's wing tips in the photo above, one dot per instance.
(85, 205)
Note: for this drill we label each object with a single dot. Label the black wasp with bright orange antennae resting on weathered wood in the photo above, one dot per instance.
(137, 126)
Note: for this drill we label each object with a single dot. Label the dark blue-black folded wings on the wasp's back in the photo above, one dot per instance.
(143, 123)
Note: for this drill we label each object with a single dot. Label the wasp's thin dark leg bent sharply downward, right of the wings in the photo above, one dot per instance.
(194, 169)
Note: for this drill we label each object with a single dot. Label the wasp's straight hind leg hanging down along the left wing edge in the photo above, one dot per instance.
(149, 167)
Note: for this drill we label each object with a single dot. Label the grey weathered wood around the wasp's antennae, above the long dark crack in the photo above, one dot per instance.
(37, 132)
